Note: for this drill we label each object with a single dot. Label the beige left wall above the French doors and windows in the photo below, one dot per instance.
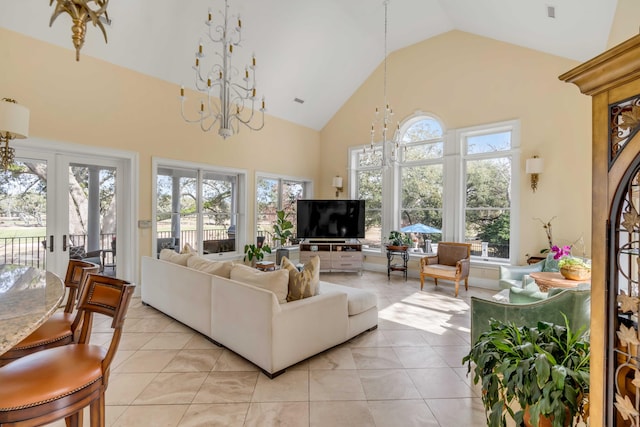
(95, 103)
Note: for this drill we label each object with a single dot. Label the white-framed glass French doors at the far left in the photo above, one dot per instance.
(56, 204)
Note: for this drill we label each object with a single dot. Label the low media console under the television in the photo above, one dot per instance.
(335, 255)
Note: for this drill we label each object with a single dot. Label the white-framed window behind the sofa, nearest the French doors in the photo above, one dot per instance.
(198, 206)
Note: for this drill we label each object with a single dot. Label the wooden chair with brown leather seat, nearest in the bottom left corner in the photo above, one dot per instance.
(59, 382)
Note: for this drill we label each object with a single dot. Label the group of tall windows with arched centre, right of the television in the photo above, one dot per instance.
(454, 185)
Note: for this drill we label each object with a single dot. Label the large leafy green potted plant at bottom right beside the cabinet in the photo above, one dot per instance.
(533, 374)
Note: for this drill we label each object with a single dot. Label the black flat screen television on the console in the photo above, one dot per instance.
(330, 219)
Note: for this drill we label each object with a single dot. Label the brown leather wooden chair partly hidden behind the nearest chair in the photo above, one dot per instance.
(57, 330)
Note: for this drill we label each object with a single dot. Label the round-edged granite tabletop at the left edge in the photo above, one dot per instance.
(28, 297)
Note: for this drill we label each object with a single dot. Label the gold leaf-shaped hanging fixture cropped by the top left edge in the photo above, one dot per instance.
(81, 12)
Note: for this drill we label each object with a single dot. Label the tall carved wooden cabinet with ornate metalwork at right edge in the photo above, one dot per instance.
(613, 81)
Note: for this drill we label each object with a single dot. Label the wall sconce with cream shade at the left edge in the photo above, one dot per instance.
(14, 123)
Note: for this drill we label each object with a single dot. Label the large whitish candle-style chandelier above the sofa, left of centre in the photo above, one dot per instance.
(228, 94)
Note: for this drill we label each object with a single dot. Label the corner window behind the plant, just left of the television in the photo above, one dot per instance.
(274, 194)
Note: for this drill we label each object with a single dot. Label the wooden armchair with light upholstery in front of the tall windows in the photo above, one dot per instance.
(452, 262)
